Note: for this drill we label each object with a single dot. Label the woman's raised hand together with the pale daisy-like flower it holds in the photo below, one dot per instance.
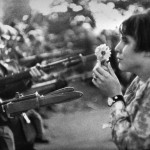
(103, 75)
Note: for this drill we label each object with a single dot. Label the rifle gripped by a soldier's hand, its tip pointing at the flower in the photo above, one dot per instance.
(61, 64)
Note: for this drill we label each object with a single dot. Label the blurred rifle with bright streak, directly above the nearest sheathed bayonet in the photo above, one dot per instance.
(62, 80)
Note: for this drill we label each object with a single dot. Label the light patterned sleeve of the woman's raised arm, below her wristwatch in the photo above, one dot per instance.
(131, 127)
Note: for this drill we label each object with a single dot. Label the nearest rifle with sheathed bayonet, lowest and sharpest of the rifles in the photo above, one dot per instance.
(23, 103)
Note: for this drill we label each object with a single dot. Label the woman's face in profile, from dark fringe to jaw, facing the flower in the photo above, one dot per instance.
(128, 59)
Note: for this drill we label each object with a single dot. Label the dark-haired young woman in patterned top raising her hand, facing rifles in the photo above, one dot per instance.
(130, 115)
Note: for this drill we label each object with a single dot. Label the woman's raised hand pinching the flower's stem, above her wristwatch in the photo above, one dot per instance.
(106, 81)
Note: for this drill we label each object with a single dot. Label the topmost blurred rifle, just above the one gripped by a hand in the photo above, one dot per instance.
(34, 59)
